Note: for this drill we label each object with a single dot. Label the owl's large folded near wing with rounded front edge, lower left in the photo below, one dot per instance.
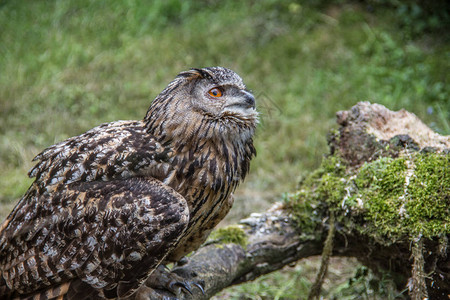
(106, 237)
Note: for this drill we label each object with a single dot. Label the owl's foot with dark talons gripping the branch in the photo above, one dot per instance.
(163, 284)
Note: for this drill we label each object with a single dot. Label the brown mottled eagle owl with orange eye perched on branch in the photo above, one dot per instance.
(111, 205)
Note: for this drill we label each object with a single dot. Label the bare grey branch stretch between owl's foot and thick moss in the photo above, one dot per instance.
(272, 244)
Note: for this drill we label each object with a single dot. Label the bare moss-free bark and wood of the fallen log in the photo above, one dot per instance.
(274, 240)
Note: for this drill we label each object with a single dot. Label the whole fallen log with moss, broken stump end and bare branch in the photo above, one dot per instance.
(387, 187)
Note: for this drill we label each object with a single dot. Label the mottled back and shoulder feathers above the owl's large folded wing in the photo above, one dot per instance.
(113, 150)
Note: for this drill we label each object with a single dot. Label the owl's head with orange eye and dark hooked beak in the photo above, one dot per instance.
(213, 97)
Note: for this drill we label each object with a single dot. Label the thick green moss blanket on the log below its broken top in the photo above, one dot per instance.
(395, 198)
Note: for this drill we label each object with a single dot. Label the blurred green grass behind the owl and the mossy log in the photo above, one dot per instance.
(67, 66)
